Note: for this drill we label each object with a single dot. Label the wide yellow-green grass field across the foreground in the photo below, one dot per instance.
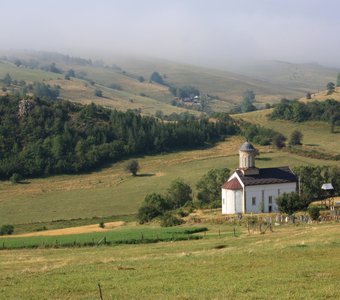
(300, 262)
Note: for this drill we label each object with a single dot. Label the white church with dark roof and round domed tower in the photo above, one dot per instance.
(254, 190)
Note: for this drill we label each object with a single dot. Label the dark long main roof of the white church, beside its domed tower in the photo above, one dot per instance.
(268, 176)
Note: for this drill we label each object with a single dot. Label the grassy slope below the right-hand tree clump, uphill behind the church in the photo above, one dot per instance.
(316, 134)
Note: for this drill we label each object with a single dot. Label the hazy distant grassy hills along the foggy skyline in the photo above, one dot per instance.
(125, 80)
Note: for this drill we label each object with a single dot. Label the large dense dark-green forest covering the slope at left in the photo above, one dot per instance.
(42, 137)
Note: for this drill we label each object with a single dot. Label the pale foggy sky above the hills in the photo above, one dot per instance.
(205, 32)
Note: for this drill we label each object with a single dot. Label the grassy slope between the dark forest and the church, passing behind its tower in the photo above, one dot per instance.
(111, 191)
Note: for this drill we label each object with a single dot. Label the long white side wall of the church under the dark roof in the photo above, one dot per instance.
(262, 193)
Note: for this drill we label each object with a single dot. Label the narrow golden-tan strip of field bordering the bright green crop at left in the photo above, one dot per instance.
(72, 230)
